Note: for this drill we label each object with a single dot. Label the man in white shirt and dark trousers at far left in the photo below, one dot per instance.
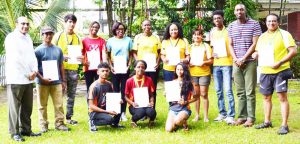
(21, 68)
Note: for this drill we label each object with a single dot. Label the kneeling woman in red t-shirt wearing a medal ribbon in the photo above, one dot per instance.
(138, 81)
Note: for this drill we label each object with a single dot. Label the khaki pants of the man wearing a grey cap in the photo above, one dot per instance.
(55, 91)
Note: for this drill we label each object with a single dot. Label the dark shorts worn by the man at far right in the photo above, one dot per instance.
(271, 82)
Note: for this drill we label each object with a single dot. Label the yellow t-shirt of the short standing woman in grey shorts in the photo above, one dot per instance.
(204, 70)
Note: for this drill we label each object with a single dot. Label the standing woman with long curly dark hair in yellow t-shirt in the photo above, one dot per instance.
(175, 49)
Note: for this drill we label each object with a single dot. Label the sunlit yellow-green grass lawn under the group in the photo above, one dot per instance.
(200, 132)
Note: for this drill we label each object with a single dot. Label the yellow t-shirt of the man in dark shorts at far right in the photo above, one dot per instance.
(279, 40)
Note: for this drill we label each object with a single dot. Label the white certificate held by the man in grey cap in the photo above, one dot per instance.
(50, 69)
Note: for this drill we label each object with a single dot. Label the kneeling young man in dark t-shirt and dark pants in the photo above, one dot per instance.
(97, 101)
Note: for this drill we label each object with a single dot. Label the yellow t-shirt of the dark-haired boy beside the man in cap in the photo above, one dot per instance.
(60, 40)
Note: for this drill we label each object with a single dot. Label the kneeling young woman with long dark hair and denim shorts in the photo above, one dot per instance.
(179, 112)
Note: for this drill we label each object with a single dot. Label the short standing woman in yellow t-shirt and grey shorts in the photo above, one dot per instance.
(201, 59)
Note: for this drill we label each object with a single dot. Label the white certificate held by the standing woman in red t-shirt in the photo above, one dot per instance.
(93, 58)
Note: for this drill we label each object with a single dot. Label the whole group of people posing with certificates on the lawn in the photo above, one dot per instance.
(233, 53)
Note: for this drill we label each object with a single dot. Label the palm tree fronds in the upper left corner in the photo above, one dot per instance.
(12, 9)
